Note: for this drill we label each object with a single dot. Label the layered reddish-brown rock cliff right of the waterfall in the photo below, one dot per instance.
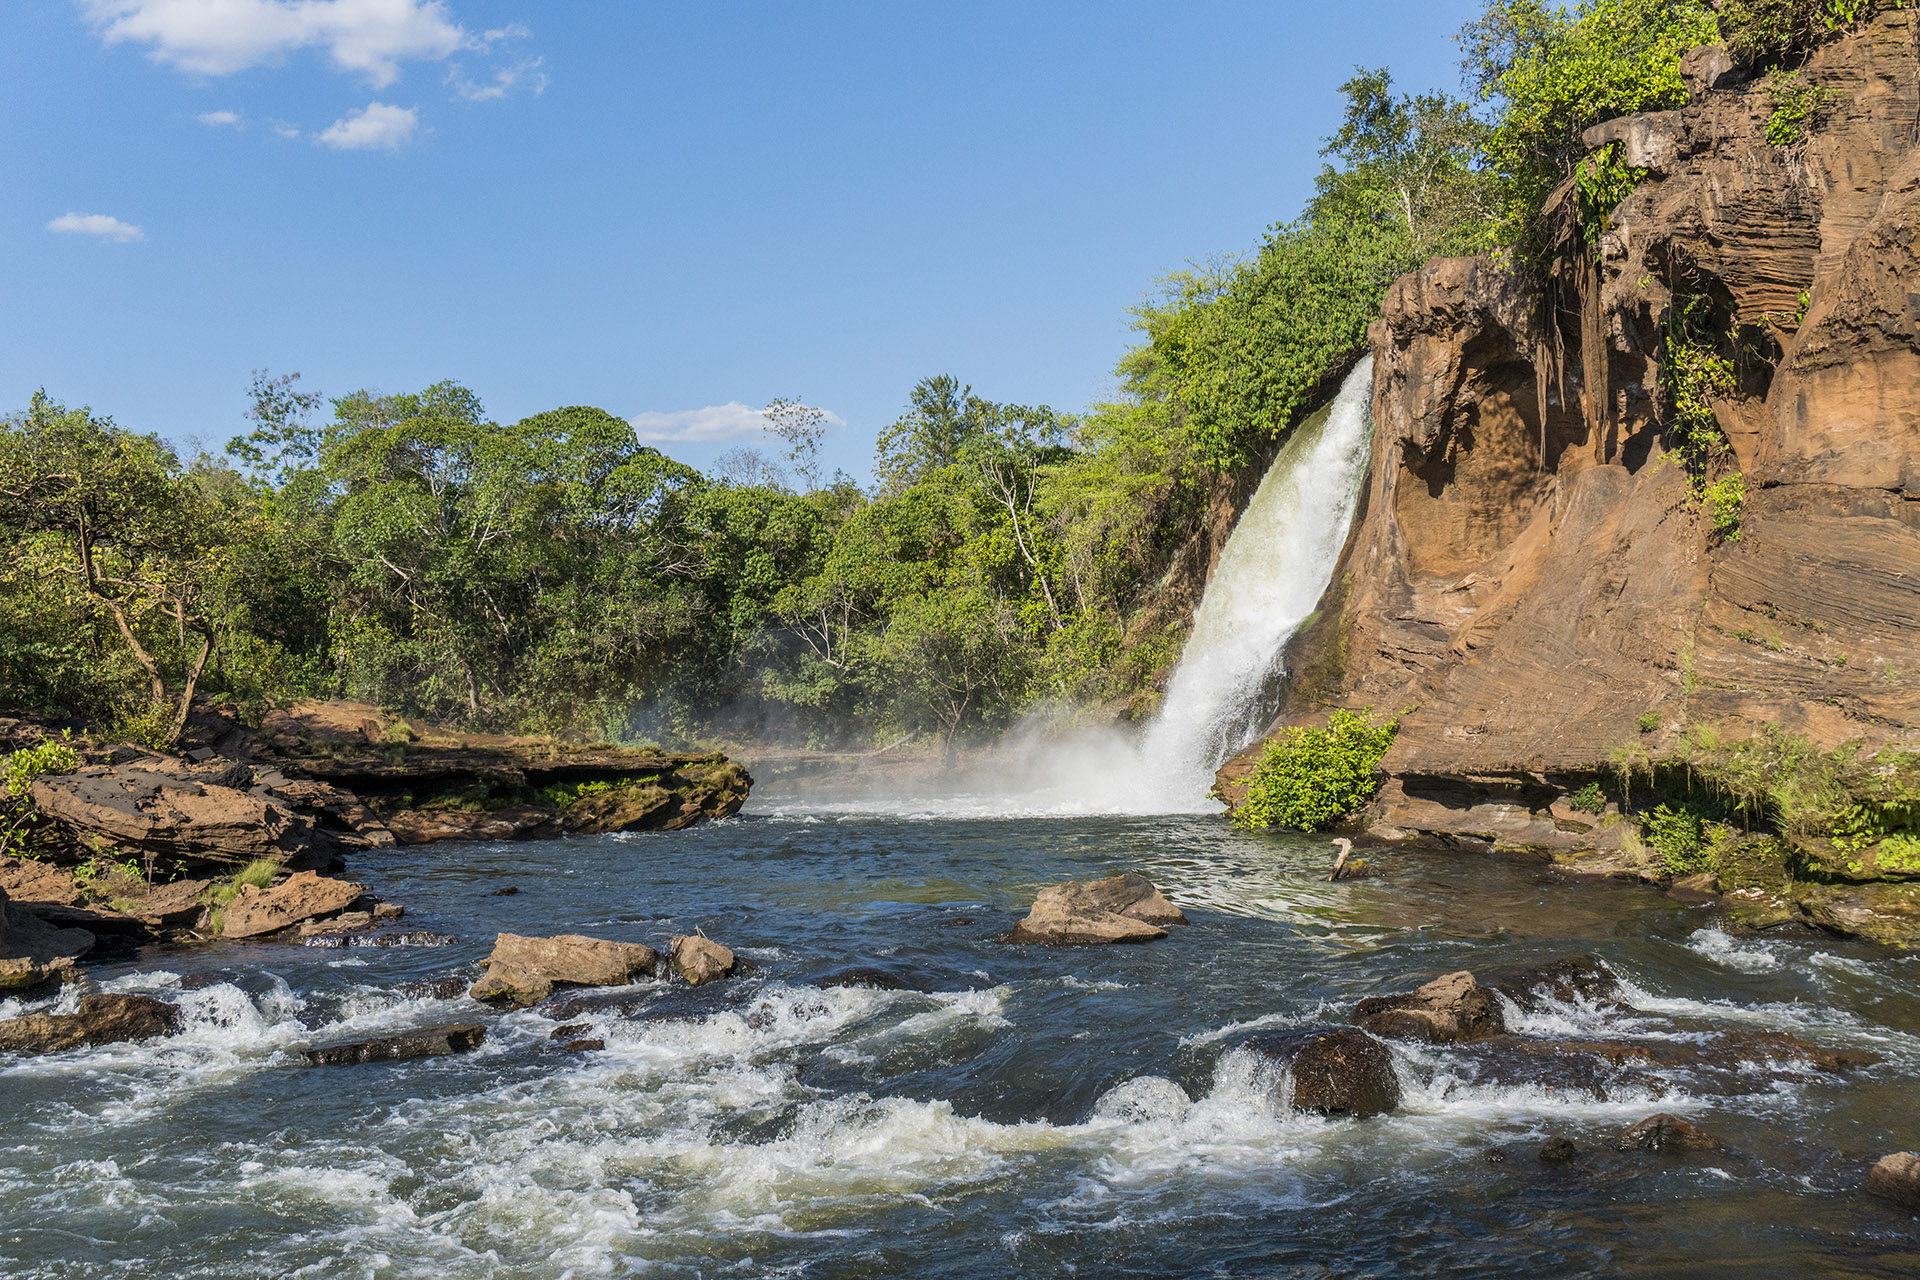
(1531, 573)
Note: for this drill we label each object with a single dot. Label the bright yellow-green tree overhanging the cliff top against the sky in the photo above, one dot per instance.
(1554, 72)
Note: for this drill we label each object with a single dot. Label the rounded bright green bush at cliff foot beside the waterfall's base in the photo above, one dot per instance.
(1310, 778)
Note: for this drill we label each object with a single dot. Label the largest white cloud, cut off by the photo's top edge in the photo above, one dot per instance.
(220, 37)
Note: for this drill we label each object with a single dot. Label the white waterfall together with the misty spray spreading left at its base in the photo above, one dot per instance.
(1230, 678)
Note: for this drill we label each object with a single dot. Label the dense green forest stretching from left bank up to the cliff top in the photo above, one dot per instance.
(556, 575)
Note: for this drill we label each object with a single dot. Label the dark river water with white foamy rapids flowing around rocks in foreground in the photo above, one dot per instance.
(1038, 1112)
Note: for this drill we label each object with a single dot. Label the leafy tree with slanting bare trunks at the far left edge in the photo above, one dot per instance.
(110, 515)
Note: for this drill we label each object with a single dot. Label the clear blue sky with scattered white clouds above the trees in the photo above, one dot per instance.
(660, 210)
